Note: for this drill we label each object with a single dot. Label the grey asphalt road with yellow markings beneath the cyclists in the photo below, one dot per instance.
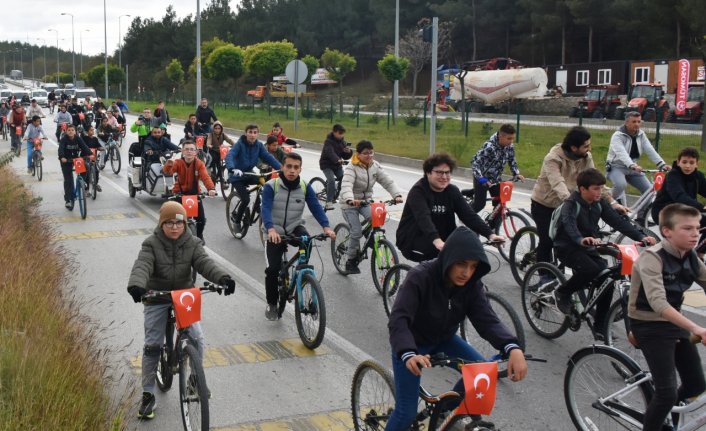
(260, 375)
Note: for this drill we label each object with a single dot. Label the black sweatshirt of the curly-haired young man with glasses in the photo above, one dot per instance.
(429, 215)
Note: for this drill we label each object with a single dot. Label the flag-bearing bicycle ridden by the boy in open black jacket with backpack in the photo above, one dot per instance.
(542, 280)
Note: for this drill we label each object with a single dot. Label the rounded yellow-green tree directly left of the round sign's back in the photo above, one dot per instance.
(267, 59)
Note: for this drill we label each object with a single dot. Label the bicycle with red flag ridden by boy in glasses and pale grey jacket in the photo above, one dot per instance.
(383, 252)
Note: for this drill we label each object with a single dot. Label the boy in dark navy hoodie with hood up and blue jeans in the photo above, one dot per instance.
(435, 298)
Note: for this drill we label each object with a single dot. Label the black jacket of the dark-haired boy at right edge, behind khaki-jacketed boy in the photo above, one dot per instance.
(679, 187)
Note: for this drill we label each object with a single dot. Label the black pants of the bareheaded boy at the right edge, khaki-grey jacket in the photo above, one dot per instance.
(666, 348)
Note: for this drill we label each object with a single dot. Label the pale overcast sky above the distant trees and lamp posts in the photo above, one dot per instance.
(33, 18)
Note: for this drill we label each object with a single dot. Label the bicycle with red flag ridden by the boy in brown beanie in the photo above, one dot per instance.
(179, 355)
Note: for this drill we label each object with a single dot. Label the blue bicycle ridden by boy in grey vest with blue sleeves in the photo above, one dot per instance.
(298, 282)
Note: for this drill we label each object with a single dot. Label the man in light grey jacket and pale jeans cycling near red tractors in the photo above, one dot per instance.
(627, 144)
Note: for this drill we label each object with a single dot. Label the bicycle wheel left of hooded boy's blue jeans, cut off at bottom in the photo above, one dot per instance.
(372, 396)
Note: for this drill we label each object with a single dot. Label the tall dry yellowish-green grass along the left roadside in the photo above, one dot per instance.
(53, 371)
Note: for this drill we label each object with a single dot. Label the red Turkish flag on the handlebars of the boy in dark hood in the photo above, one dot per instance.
(480, 381)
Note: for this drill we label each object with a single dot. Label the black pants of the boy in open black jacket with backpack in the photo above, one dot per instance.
(586, 266)
